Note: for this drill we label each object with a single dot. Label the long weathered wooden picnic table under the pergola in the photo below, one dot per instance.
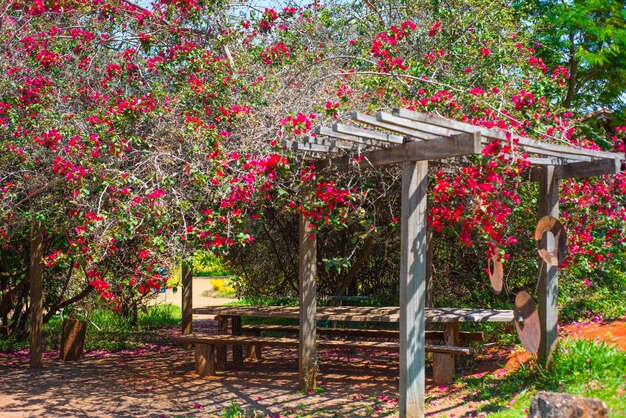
(443, 360)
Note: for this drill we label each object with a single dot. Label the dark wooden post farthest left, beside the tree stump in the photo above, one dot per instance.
(35, 272)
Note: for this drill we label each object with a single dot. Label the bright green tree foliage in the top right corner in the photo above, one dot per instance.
(589, 38)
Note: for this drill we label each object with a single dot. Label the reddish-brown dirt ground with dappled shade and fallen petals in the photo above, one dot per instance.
(159, 381)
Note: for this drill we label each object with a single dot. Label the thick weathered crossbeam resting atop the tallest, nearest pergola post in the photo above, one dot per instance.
(436, 149)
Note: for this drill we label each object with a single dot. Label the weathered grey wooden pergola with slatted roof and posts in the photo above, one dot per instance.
(412, 139)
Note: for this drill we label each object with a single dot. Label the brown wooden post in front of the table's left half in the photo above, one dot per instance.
(307, 266)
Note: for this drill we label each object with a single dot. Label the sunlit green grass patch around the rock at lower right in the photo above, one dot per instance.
(580, 367)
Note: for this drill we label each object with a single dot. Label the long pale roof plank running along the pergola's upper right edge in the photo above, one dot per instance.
(529, 144)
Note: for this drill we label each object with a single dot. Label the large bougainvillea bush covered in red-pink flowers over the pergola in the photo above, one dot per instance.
(133, 135)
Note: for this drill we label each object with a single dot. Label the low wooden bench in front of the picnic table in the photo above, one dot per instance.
(205, 364)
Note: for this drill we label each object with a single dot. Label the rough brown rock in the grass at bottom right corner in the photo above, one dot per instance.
(562, 405)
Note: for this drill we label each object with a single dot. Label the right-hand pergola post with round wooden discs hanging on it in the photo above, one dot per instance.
(548, 275)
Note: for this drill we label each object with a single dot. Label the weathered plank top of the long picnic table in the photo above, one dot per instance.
(362, 313)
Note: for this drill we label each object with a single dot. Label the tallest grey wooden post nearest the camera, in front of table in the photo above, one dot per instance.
(413, 288)
